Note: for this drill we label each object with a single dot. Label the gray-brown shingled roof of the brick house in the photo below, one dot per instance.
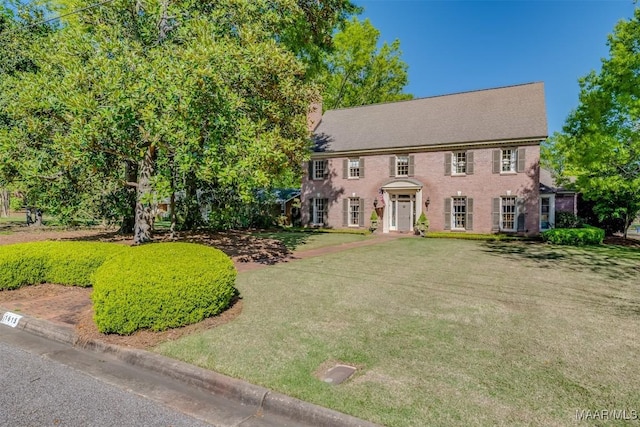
(506, 113)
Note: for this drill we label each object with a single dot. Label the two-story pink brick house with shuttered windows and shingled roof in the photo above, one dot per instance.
(469, 160)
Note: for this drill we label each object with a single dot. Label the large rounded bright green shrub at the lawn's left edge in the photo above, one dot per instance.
(161, 286)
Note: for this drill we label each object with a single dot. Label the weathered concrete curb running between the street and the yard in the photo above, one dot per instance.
(261, 398)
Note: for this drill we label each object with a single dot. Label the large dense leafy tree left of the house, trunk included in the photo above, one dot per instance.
(157, 96)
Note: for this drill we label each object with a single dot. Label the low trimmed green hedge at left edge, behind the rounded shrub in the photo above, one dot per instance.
(64, 263)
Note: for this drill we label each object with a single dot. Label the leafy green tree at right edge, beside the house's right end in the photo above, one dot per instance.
(600, 143)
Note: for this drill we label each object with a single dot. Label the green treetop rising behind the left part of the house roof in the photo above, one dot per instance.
(358, 73)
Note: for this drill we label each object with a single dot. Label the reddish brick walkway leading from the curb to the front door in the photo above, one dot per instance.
(65, 305)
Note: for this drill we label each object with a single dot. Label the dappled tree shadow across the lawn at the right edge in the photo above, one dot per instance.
(613, 262)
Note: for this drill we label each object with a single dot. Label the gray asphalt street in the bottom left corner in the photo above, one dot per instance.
(47, 383)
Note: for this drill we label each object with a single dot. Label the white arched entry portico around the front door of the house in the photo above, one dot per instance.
(402, 200)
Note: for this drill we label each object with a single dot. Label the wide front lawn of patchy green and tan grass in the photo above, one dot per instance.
(443, 332)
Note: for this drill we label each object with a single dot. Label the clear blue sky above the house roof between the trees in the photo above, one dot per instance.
(456, 46)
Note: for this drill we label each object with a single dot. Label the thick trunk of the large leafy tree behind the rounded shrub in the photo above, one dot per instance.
(143, 229)
